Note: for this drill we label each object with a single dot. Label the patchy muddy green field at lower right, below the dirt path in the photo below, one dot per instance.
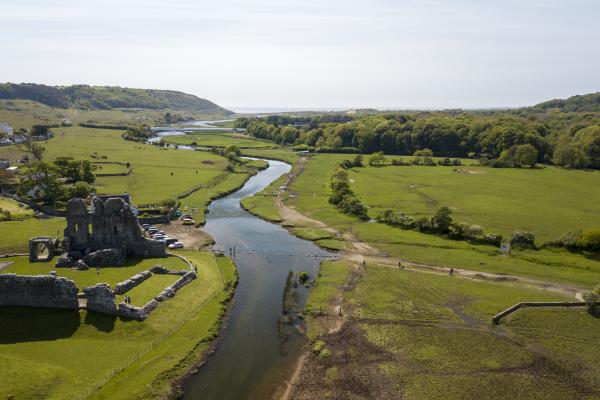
(426, 336)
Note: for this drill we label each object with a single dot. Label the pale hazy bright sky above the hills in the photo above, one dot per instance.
(306, 54)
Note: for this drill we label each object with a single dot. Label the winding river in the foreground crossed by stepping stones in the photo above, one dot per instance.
(252, 360)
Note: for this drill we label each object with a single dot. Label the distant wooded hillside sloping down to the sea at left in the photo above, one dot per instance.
(84, 97)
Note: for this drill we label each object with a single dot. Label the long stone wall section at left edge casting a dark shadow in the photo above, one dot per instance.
(38, 291)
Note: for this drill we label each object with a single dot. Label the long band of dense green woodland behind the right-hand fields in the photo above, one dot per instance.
(518, 138)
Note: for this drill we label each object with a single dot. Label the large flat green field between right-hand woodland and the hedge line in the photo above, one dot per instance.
(548, 201)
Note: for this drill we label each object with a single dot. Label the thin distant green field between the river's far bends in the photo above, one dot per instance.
(209, 139)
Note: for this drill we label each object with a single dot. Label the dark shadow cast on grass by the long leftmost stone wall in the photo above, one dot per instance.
(24, 324)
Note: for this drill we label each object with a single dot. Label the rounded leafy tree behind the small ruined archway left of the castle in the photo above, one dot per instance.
(44, 179)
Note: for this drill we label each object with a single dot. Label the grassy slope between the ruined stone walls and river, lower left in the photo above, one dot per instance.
(45, 351)
